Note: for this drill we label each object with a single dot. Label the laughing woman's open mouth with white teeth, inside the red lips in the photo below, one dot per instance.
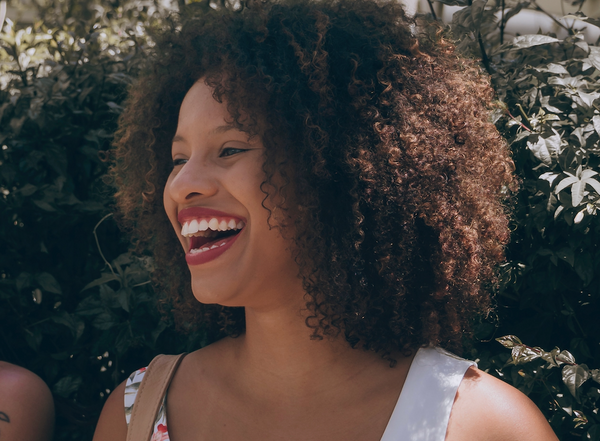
(207, 234)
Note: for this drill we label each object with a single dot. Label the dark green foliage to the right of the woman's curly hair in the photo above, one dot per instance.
(549, 111)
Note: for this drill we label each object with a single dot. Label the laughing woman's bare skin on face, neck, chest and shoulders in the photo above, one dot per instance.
(274, 382)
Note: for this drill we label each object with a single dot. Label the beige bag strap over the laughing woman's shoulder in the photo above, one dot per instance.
(150, 395)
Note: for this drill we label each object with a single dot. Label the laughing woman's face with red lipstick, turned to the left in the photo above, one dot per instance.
(214, 202)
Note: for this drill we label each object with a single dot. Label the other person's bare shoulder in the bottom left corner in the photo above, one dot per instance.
(26, 405)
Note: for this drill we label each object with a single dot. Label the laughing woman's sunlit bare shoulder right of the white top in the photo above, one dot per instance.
(487, 408)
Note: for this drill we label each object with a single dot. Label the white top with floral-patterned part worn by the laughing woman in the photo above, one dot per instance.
(421, 412)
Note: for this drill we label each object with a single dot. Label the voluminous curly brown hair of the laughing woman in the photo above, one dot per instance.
(378, 141)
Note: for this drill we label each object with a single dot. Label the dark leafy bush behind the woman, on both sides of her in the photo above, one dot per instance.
(76, 306)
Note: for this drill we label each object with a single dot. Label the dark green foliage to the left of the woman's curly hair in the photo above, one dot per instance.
(75, 306)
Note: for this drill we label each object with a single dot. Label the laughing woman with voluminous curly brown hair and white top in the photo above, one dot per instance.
(322, 189)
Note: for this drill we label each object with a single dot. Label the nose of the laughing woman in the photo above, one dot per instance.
(194, 179)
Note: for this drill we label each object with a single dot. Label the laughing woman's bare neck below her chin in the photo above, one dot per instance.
(277, 353)
